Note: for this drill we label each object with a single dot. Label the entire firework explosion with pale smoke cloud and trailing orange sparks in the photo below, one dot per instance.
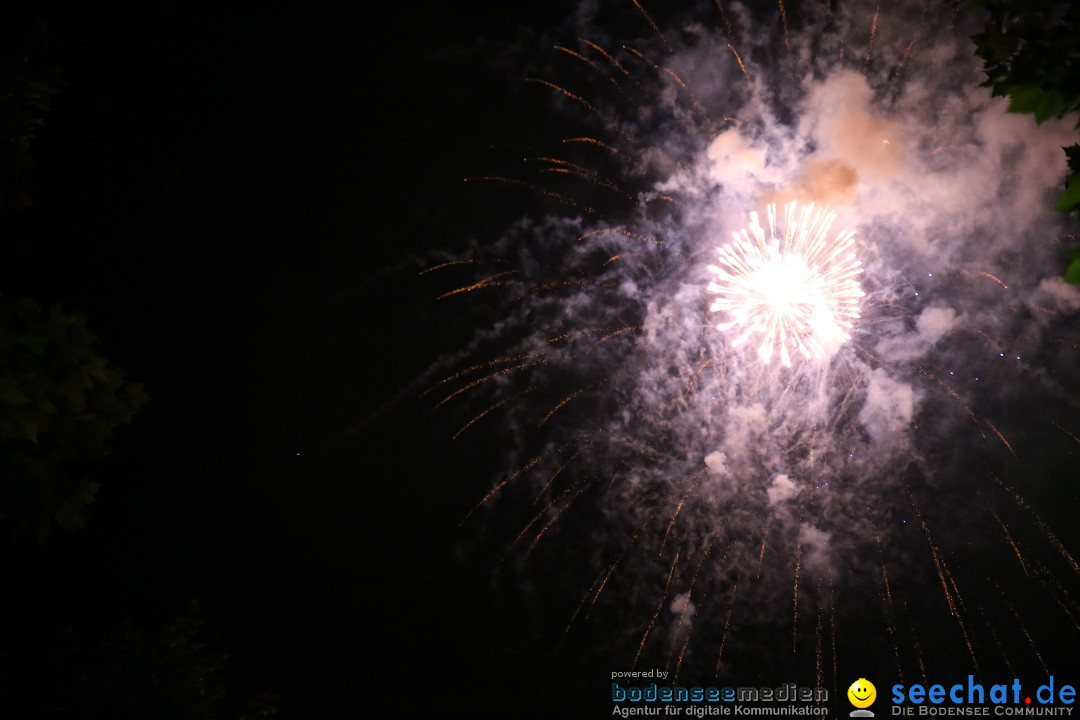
(895, 497)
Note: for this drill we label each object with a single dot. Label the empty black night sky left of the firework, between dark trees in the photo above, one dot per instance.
(235, 200)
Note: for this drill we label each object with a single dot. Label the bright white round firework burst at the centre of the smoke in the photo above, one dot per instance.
(798, 290)
